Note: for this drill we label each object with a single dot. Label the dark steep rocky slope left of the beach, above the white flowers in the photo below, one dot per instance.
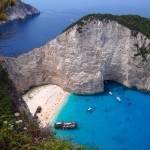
(9, 93)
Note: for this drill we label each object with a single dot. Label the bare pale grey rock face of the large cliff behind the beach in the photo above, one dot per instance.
(79, 62)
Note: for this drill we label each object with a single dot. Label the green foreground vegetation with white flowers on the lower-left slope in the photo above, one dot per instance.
(19, 133)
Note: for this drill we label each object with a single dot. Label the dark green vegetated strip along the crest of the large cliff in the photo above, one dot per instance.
(133, 22)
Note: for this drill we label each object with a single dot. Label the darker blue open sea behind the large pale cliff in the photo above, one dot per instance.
(23, 36)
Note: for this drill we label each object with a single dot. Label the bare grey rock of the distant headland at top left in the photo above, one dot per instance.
(20, 11)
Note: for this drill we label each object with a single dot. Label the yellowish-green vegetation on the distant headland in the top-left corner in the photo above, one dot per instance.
(4, 4)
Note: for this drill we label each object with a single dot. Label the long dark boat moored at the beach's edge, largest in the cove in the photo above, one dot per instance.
(65, 125)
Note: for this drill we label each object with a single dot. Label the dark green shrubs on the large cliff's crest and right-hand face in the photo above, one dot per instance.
(134, 22)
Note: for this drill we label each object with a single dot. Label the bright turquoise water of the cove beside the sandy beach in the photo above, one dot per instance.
(113, 125)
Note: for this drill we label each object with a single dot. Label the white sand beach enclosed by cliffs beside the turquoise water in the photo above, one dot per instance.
(51, 99)
